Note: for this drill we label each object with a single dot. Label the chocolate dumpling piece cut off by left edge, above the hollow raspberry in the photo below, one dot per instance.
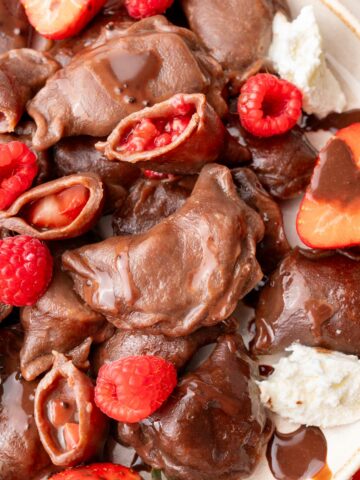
(22, 73)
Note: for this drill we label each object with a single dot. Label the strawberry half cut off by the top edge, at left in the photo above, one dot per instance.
(59, 19)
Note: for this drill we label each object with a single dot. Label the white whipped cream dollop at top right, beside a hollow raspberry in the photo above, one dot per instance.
(298, 56)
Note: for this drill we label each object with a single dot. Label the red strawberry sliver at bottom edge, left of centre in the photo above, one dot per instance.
(98, 471)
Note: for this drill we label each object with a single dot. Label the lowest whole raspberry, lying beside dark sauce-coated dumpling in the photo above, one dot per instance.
(133, 388)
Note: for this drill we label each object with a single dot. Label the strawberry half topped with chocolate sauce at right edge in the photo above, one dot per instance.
(329, 215)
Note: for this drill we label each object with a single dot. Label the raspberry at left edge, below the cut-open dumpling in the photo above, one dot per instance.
(25, 270)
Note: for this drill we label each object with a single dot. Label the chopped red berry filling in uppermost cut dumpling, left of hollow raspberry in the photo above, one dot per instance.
(153, 133)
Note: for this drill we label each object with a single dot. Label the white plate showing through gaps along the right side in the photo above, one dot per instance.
(340, 27)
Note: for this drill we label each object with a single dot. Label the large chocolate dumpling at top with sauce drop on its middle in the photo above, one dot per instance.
(143, 64)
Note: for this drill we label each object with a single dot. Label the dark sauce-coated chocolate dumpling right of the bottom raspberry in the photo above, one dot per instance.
(212, 427)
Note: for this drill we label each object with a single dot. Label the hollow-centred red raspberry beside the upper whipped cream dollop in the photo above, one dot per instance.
(269, 105)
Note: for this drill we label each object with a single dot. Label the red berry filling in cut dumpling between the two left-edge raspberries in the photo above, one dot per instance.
(57, 210)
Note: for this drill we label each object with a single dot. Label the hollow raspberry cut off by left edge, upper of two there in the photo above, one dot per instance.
(18, 168)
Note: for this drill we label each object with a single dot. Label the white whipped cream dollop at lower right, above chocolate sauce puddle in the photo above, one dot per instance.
(314, 387)
